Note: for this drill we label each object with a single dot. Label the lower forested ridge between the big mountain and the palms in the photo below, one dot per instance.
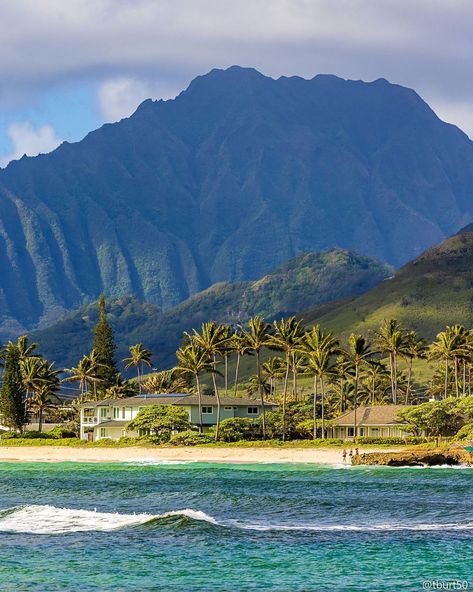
(308, 279)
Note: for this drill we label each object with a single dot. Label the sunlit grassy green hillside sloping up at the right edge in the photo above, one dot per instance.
(434, 290)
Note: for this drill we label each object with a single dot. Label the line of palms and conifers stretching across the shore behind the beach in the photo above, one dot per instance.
(363, 370)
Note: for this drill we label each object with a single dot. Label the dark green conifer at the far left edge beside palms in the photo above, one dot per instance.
(13, 394)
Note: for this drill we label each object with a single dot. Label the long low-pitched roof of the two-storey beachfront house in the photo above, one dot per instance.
(144, 400)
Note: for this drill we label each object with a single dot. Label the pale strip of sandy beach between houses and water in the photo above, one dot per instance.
(224, 455)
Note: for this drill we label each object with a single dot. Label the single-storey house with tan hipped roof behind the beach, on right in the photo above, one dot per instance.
(375, 421)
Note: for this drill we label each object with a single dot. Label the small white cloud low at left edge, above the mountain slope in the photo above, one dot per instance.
(25, 139)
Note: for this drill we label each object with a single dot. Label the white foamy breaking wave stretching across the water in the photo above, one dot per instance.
(35, 519)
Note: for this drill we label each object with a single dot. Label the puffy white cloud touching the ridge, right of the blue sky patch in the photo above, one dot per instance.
(119, 97)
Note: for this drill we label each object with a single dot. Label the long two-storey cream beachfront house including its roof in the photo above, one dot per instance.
(109, 418)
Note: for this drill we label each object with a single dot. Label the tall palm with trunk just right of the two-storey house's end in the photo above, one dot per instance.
(287, 337)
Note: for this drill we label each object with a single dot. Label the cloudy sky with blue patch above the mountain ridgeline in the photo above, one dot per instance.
(68, 66)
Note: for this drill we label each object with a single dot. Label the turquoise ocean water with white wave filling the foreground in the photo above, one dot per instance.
(207, 527)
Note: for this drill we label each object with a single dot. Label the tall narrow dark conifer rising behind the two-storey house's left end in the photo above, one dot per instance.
(104, 347)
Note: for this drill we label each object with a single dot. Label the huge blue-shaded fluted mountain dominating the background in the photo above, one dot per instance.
(236, 175)
